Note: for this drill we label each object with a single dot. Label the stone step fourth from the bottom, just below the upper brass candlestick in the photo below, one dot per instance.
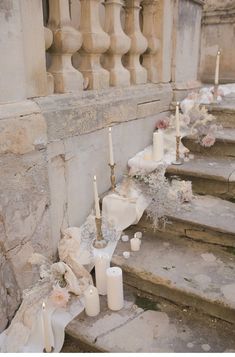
(209, 175)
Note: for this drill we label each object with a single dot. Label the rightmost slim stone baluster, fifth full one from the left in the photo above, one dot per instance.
(149, 31)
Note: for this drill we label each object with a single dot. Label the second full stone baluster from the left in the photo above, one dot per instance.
(95, 42)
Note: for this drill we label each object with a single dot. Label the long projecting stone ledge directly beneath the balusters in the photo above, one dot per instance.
(69, 115)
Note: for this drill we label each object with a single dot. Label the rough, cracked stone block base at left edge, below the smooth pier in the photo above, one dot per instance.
(24, 200)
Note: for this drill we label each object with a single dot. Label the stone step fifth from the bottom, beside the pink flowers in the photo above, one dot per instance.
(224, 144)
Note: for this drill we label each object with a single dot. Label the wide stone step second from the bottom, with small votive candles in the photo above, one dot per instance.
(182, 271)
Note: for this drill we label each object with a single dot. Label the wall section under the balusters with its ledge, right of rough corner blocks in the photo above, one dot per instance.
(78, 143)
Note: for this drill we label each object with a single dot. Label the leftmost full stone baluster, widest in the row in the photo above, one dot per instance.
(66, 41)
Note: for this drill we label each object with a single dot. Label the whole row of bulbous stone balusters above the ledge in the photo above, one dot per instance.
(109, 47)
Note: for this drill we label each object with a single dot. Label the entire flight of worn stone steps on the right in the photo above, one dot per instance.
(180, 287)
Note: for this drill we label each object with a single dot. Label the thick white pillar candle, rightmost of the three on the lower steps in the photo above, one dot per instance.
(115, 288)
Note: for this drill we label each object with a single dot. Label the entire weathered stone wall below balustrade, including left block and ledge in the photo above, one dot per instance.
(50, 148)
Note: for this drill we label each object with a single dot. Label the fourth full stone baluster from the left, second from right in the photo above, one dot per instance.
(138, 43)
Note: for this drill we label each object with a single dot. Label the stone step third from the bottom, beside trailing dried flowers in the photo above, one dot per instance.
(207, 219)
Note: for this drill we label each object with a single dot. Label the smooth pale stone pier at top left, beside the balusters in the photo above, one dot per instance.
(22, 49)
